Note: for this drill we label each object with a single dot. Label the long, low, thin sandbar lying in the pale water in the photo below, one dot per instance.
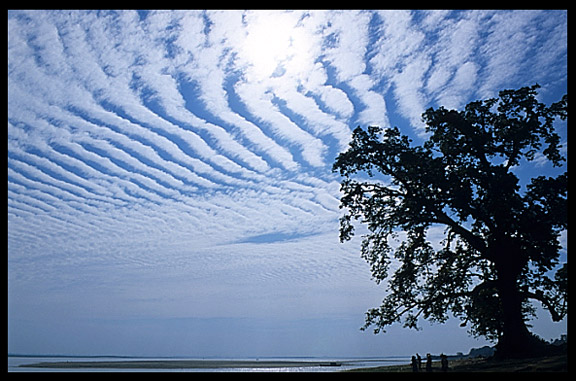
(179, 364)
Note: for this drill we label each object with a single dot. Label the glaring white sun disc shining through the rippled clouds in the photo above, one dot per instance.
(275, 44)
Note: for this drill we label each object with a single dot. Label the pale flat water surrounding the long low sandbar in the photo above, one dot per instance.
(347, 363)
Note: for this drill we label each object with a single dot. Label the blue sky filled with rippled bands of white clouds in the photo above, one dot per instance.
(169, 172)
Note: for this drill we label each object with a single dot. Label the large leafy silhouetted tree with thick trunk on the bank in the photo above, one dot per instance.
(501, 239)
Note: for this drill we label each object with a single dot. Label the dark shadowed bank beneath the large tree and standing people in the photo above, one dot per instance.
(557, 363)
